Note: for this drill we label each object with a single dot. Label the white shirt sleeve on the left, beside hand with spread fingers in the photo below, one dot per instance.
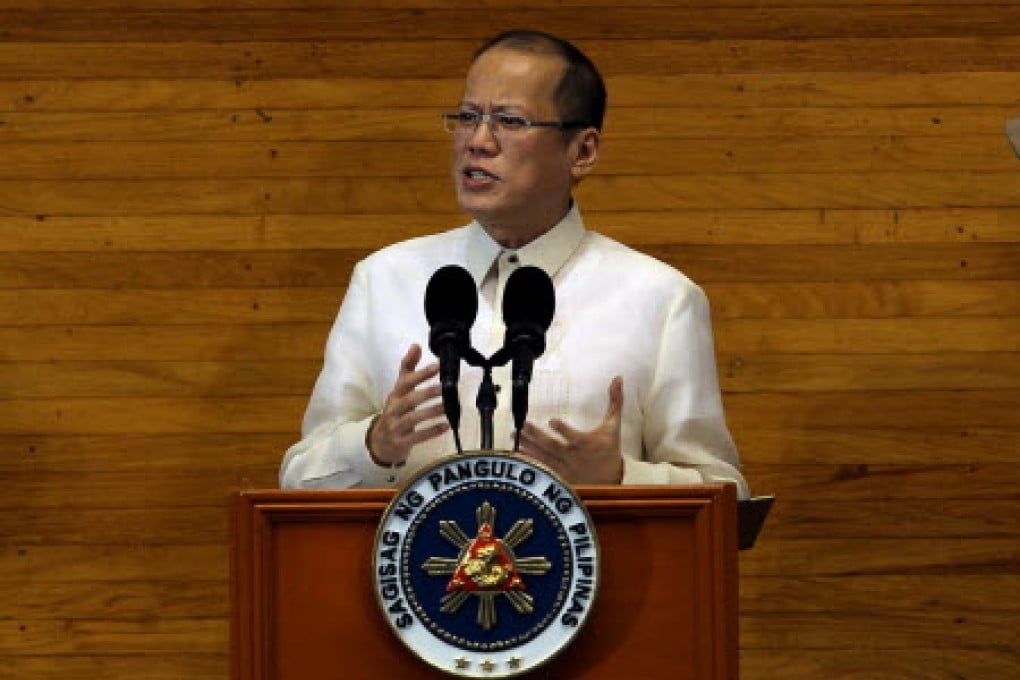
(332, 453)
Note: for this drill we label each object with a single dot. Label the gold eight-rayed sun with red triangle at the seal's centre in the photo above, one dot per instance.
(487, 567)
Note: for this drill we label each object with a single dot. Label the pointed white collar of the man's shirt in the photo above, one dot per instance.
(549, 252)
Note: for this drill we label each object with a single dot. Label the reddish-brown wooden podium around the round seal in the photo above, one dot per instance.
(304, 606)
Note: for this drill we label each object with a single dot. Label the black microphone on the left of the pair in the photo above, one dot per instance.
(451, 305)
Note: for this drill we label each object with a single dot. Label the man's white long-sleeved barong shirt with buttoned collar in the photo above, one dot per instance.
(619, 312)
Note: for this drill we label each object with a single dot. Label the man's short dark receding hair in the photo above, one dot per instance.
(581, 95)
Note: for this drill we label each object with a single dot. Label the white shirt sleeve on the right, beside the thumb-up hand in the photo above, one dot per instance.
(685, 436)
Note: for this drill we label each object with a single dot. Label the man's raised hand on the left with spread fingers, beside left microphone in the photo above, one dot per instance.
(395, 431)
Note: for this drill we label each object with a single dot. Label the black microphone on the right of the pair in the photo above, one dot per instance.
(529, 305)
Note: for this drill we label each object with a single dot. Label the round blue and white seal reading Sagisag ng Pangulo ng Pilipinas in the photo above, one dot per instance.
(486, 565)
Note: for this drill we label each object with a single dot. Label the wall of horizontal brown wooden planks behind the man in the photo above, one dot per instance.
(186, 184)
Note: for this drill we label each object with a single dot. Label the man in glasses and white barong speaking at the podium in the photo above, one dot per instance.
(627, 390)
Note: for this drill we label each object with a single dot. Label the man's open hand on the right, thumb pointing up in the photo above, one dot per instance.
(582, 458)
